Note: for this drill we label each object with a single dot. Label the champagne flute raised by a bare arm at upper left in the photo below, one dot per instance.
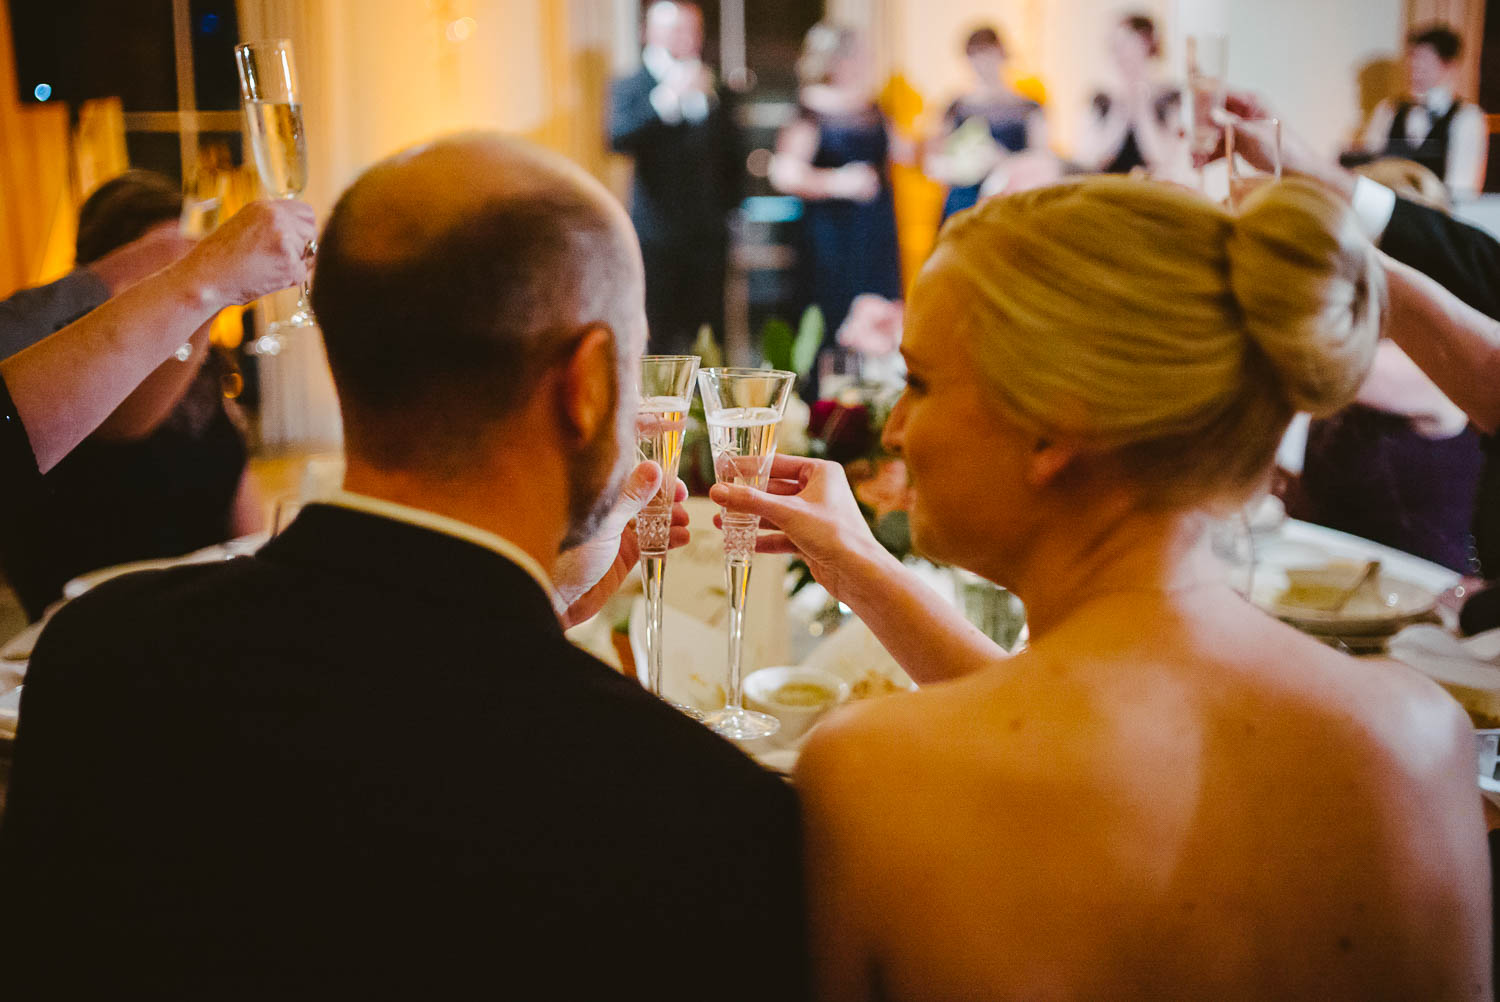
(280, 145)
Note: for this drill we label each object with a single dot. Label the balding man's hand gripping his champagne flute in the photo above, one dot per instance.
(592, 572)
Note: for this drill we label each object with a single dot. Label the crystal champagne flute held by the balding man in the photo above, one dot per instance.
(667, 395)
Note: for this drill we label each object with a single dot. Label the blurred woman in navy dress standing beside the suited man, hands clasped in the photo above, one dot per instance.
(835, 157)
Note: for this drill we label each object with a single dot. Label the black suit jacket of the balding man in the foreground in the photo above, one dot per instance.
(367, 763)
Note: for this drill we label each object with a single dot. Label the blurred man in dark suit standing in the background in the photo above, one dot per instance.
(673, 119)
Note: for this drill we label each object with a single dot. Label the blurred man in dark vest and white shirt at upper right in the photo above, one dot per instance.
(1433, 125)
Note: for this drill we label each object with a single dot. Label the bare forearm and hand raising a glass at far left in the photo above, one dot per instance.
(67, 385)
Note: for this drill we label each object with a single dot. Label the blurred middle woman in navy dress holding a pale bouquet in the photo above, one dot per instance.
(983, 127)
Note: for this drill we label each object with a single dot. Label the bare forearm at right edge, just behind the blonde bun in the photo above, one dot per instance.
(1454, 344)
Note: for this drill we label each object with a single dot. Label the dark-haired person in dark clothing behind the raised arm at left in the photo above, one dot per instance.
(169, 466)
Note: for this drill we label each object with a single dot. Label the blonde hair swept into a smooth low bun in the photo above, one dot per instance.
(1154, 326)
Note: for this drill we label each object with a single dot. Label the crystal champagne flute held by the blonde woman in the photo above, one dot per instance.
(745, 409)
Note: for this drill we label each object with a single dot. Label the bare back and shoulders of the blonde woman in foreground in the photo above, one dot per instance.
(1159, 800)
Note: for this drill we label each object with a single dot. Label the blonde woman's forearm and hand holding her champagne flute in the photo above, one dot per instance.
(815, 517)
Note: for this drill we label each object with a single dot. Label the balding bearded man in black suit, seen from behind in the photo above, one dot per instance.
(367, 763)
